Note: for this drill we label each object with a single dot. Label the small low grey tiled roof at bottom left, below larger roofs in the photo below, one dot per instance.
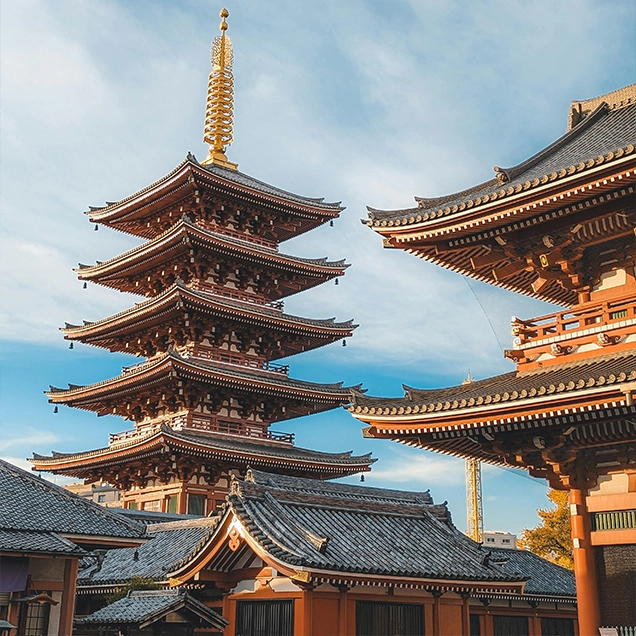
(146, 607)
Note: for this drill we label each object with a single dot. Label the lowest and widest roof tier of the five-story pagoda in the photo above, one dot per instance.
(229, 451)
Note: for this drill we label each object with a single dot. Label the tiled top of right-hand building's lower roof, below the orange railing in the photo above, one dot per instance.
(604, 370)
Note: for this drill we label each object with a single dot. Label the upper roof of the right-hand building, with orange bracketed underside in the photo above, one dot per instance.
(538, 227)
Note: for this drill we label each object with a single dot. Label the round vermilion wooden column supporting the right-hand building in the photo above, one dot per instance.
(584, 566)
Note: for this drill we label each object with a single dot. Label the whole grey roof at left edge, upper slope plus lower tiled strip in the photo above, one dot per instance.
(38, 516)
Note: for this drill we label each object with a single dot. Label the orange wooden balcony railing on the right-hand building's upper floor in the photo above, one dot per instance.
(590, 316)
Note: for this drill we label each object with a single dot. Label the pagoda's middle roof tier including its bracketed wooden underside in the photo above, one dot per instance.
(179, 305)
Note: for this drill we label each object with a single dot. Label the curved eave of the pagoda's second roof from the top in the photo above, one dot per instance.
(160, 248)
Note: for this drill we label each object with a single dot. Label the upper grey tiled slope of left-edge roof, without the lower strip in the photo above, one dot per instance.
(29, 503)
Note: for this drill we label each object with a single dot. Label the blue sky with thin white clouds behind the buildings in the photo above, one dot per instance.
(368, 102)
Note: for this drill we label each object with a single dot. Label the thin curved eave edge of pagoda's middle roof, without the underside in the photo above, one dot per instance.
(167, 304)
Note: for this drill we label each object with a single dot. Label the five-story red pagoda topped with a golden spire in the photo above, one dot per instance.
(213, 323)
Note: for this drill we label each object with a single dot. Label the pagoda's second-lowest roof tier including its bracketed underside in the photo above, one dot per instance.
(170, 370)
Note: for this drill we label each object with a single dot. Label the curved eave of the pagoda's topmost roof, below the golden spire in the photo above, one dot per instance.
(188, 176)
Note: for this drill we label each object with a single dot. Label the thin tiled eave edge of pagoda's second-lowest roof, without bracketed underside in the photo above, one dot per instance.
(157, 372)
